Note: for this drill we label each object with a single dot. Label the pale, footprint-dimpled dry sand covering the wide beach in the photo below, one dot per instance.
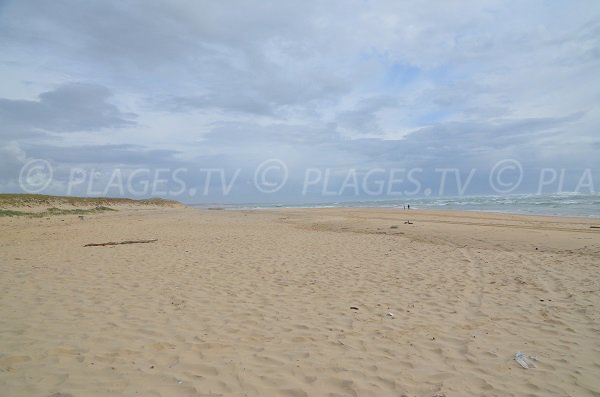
(258, 303)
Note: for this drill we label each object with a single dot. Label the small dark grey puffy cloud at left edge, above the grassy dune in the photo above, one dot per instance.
(68, 108)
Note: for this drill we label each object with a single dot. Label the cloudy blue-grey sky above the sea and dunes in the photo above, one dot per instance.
(293, 101)
